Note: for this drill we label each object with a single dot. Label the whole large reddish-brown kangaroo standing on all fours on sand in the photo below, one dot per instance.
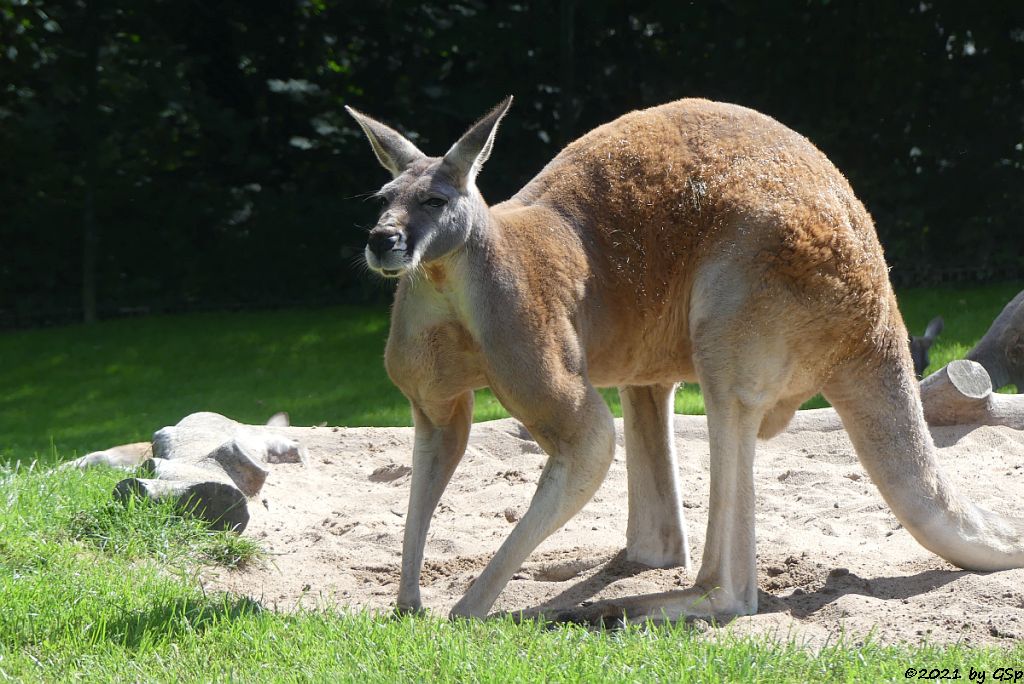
(693, 242)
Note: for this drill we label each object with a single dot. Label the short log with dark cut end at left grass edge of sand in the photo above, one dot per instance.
(221, 504)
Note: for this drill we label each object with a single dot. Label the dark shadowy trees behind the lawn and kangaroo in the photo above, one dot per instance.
(160, 155)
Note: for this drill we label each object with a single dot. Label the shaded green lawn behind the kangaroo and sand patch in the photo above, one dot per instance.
(78, 390)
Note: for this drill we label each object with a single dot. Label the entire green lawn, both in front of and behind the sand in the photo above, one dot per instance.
(92, 590)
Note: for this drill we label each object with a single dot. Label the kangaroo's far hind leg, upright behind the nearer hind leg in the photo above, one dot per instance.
(656, 534)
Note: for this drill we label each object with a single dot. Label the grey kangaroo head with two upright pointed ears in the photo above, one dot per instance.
(432, 206)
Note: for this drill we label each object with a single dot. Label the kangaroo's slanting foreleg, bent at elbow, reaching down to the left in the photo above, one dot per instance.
(581, 447)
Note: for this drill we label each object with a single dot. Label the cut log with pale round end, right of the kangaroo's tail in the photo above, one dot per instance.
(961, 394)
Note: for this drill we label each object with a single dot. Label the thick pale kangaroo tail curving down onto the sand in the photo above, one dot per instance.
(878, 400)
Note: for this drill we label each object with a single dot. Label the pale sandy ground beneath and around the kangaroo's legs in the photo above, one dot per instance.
(832, 559)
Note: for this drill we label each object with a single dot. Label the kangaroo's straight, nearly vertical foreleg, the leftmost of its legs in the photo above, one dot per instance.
(442, 434)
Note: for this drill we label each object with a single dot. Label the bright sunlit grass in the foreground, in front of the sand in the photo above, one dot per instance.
(96, 591)
